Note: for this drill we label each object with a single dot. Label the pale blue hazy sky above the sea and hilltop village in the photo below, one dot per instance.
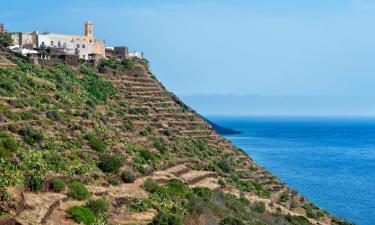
(286, 49)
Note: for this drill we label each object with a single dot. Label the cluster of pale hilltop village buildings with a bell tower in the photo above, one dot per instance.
(50, 48)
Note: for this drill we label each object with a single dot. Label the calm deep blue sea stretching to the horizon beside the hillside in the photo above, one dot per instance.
(331, 161)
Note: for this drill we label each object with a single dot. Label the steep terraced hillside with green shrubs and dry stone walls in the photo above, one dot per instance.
(115, 147)
